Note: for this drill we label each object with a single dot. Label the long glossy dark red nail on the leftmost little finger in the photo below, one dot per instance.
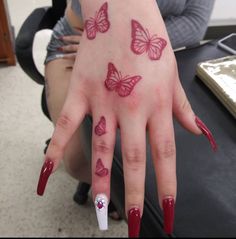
(44, 175)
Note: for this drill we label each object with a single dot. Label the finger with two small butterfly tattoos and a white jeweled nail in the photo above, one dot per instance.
(103, 142)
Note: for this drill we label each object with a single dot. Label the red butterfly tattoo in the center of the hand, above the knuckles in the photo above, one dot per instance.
(122, 85)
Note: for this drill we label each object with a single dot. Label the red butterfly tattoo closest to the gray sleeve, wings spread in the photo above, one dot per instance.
(142, 42)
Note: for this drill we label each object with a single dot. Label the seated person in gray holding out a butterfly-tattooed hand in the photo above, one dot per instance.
(114, 60)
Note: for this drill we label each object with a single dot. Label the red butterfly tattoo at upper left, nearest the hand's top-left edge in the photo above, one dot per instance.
(99, 23)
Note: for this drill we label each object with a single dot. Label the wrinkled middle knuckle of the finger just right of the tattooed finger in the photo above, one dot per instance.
(134, 157)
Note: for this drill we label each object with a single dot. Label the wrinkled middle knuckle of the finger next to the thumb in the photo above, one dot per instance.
(166, 150)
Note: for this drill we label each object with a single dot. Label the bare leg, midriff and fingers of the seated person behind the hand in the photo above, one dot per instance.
(58, 76)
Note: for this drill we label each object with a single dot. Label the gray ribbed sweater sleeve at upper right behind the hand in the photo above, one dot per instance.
(190, 27)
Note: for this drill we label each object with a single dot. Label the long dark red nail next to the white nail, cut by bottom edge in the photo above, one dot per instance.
(134, 220)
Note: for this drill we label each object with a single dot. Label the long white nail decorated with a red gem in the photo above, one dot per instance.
(101, 205)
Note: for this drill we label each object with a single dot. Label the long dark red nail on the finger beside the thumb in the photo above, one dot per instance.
(168, 205)
